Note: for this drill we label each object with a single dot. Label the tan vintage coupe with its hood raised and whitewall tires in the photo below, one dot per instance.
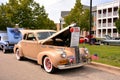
(51, 49)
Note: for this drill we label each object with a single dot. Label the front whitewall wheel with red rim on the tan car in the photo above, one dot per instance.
(48, 65)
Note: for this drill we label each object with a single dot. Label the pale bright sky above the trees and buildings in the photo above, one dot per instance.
(54, 7)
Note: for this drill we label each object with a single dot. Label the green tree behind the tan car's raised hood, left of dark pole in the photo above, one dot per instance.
(79, 16)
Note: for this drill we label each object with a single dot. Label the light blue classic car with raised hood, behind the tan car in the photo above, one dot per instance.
(9, 38)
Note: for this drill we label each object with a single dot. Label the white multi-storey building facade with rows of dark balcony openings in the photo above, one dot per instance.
(106, 15)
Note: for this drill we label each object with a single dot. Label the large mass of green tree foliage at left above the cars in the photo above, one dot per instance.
(26, 13)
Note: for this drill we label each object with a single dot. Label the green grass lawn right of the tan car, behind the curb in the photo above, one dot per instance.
(107, 54)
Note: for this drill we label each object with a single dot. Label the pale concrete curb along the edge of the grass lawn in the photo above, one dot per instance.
(105, 67)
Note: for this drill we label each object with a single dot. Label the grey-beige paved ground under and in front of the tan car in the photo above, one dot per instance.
(11, 69)
